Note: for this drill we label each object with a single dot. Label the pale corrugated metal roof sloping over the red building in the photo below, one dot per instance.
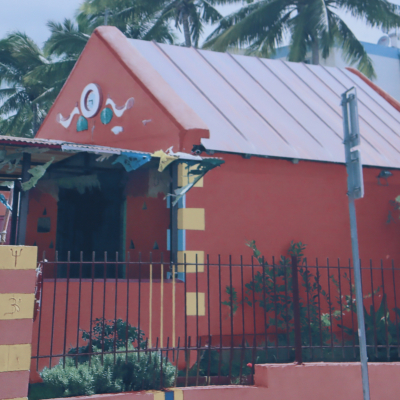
(275, 108)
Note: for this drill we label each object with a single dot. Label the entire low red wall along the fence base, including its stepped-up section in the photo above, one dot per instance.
(313, 381)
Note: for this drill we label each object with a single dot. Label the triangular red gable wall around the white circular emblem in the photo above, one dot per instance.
(99, 65)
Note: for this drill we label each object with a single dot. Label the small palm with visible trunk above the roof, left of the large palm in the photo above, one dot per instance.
(191, 15)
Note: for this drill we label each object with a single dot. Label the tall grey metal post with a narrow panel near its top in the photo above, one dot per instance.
(355, 190)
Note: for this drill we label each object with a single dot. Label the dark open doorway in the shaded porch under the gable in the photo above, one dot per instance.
(90, 222)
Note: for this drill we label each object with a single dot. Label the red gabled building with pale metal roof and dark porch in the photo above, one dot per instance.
(277, 127)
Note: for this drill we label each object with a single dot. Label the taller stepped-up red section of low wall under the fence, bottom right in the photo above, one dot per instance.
(336, 381)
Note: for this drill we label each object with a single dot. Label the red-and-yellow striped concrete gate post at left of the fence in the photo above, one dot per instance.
(17, 297)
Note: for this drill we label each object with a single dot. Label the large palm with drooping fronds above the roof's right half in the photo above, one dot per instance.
(263, 25)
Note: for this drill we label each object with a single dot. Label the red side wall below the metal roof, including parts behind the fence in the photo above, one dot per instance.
(275, 202)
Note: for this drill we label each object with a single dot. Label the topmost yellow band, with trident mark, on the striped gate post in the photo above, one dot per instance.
(18, 257)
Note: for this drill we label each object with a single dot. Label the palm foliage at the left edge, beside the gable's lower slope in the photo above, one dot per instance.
(24, 102)
